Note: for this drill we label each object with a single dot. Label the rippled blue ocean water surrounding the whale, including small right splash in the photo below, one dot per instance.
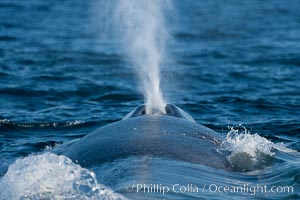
(234, 66)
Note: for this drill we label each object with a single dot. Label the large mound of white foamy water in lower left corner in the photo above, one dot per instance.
(49, 176)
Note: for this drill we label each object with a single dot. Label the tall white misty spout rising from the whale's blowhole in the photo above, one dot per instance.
(142, 28)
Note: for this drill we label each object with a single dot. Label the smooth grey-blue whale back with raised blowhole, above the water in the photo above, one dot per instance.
(173, 135)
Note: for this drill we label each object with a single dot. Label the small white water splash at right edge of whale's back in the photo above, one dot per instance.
(249, 151)
